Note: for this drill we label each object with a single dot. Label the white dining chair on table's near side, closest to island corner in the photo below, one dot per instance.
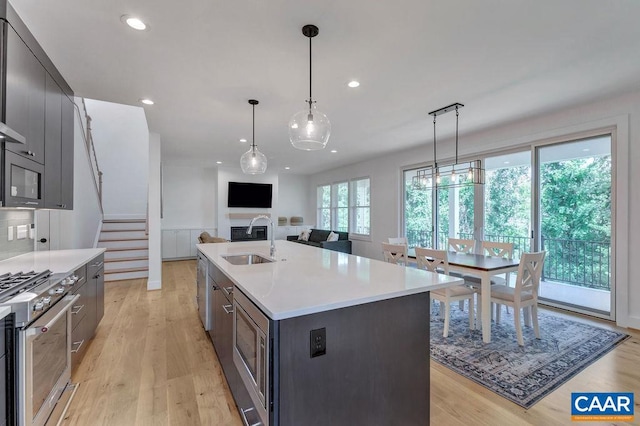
(437, 261)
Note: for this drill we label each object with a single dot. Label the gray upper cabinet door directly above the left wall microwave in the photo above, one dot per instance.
(25, 97)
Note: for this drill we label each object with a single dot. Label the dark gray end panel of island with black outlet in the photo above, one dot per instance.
(375, 371)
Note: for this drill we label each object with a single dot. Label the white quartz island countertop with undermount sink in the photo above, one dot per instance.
(305, 280)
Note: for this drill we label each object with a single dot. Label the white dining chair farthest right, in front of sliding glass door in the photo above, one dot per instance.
(525, 293)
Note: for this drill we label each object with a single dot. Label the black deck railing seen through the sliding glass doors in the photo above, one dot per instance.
(577, 262)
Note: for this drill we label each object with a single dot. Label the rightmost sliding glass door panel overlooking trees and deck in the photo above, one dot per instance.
(574, 223)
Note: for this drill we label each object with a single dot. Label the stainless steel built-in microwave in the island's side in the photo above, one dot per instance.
(251, 356)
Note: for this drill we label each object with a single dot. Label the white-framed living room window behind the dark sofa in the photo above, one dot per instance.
(345, 207)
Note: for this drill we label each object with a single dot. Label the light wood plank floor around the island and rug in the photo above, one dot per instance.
(152, 363)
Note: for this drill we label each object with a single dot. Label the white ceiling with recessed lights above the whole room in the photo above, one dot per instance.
(201, 60)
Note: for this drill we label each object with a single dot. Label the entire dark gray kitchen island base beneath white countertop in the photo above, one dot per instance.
(375, 370)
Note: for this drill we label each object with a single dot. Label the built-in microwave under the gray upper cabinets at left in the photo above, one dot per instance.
(23, 182)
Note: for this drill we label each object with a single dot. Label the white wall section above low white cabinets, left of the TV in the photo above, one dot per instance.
(189, 197)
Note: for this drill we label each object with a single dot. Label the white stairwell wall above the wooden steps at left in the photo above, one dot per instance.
(121, 138)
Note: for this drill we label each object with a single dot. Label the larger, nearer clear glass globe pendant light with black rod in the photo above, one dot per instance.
(309, 129)
